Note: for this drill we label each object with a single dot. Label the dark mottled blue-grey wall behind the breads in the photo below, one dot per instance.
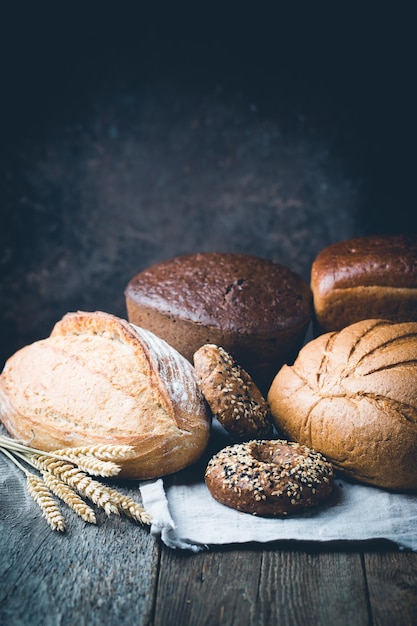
(130, 134)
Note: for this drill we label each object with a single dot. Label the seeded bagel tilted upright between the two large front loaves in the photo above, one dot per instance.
(231, 394)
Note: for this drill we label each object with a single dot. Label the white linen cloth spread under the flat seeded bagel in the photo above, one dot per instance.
(185, 516)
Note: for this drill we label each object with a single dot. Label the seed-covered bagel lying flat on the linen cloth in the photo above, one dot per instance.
(270, 478)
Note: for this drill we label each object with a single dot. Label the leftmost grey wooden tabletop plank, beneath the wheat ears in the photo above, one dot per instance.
(102, 574)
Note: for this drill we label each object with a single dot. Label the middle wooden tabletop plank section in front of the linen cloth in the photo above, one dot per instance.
(249, 586)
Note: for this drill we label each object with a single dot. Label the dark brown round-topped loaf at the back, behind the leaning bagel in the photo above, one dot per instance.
(256, 309)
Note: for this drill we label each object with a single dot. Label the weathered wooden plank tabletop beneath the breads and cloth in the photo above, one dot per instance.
(117, 573)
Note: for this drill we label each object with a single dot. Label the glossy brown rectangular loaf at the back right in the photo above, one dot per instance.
(365, 278)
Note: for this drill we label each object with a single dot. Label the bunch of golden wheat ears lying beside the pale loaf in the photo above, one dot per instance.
(67, 474)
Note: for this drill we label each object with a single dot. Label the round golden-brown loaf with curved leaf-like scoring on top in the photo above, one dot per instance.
(351, 395)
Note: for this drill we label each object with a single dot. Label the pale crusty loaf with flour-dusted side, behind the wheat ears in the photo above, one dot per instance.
(99, 380)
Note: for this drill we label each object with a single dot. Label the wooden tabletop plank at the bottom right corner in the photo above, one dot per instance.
(392, 584)
